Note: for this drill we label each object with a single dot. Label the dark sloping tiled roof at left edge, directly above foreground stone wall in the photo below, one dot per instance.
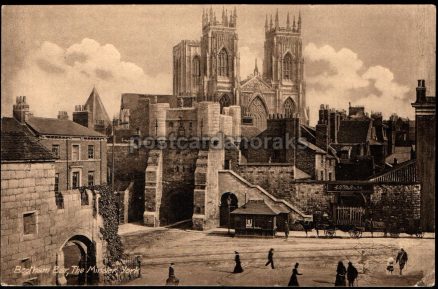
(19, 145)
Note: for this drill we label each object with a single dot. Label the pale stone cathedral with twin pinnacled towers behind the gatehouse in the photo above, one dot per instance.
(208, 70)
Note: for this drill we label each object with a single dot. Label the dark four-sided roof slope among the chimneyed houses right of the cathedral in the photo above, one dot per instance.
(354, 131)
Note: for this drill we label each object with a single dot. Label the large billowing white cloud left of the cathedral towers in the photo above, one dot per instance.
(57, 78)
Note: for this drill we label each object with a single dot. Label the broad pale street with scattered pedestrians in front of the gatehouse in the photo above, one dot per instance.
(207, 258)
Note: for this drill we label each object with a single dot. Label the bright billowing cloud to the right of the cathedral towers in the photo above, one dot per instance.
(339, 77)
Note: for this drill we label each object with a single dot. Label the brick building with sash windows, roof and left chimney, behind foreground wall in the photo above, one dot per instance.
(80, 151)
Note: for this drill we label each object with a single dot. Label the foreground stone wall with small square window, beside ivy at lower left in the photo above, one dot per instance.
(29, 188)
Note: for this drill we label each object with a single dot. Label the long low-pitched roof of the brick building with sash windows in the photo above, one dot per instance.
(54, 126)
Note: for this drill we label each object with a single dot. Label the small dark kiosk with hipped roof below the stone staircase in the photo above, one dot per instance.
(255, 218)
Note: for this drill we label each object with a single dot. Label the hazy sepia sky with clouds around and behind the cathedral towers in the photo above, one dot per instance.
(369, 55)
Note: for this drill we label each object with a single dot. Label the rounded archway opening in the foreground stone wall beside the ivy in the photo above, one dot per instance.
(78, 251)
